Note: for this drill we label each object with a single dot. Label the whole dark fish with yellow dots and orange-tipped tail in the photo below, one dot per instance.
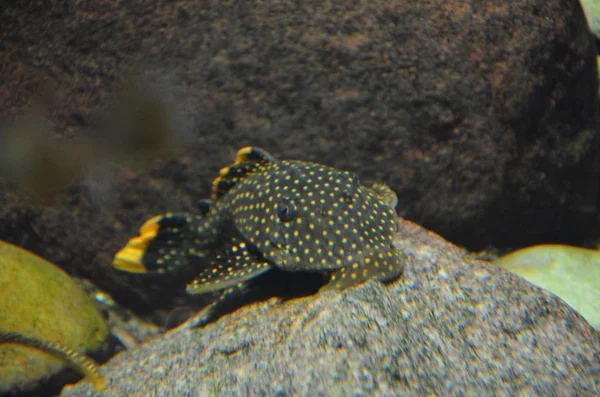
(265, 213)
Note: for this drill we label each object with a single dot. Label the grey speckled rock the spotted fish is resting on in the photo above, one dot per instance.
(450, 326)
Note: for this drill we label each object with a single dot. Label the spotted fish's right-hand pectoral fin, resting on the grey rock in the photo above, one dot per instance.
(382, 265)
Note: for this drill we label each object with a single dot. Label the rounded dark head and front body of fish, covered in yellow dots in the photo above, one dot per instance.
(307, 216)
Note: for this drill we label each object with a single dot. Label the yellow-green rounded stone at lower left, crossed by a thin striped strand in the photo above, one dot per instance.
(39, 300)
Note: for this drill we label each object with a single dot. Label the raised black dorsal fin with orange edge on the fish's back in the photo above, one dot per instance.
(249, 160)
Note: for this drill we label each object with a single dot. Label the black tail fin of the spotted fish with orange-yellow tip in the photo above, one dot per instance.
(164, 244)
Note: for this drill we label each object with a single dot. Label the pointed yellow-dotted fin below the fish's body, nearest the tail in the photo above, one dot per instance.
(235, 265)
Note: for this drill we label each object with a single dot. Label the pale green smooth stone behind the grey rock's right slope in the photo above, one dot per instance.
(571, 273)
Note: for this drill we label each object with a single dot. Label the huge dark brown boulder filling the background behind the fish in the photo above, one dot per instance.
(480, 115)
